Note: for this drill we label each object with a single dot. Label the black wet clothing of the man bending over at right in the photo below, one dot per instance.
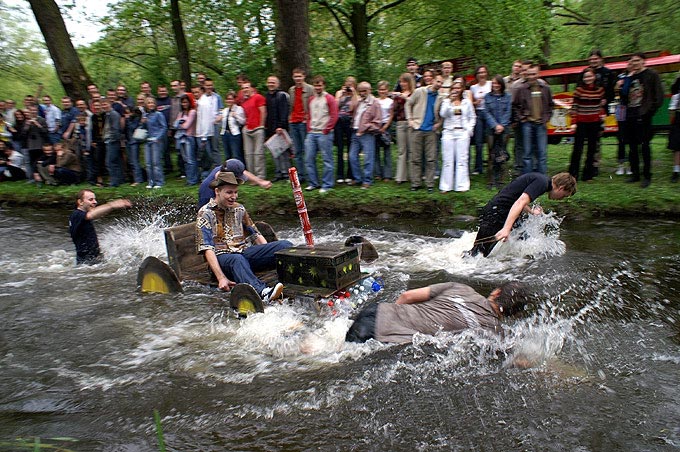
(496, 211)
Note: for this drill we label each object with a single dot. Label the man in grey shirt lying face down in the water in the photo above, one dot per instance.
(449, 307)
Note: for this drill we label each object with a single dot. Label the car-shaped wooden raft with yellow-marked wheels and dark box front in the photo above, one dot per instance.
(309, 274)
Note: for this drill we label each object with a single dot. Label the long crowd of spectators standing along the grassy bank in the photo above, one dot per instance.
(444, 128)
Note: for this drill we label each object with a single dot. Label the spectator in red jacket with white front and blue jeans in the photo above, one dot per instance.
(322, 116)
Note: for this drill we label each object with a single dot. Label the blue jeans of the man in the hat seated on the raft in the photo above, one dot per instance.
(240, 267)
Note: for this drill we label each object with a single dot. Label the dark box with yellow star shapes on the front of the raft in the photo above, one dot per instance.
(324, 267)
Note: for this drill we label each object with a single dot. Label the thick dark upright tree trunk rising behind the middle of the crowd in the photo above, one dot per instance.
(292, 39)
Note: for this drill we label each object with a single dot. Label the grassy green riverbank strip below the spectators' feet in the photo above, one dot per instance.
(608, 195)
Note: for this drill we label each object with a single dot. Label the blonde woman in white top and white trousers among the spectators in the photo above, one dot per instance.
(459, 119)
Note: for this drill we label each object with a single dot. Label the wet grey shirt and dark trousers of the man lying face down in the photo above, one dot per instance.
(452, 307)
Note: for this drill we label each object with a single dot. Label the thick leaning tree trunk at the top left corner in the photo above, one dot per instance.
(70, 70)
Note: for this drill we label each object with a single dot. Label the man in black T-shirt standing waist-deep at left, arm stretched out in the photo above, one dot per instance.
(82, 229)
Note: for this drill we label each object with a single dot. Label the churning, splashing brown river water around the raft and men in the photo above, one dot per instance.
(85, 359)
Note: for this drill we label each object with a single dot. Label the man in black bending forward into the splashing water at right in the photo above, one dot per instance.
(500, 214)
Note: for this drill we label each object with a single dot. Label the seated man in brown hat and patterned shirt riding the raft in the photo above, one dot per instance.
(230, 242)
